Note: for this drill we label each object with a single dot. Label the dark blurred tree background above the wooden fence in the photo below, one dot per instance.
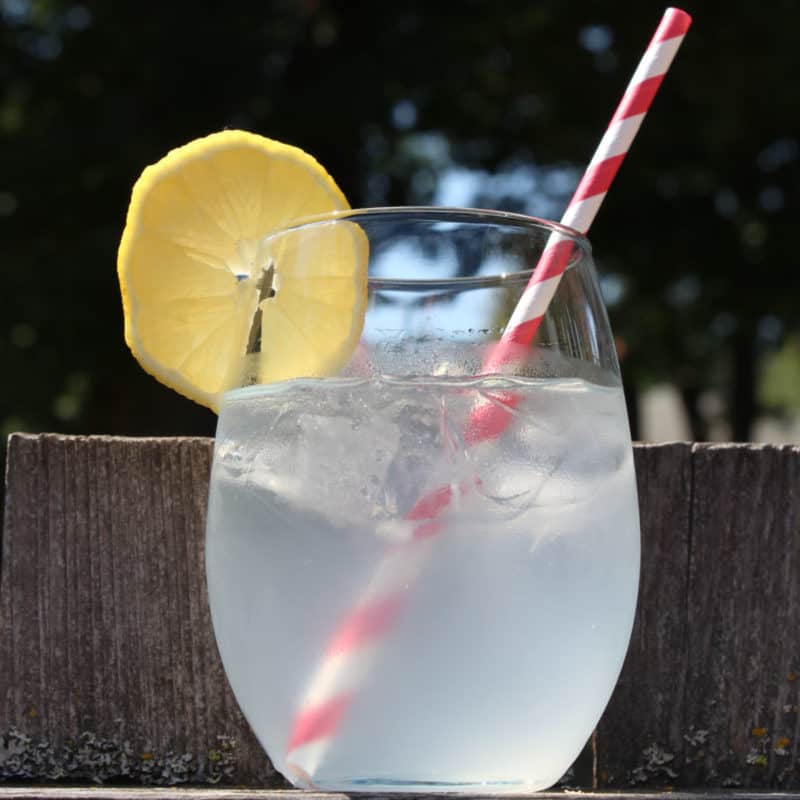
(696, 242)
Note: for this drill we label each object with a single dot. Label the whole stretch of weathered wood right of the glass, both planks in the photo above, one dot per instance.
(710, 690)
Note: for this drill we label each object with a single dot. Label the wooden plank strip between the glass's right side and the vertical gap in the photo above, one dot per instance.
(641, 733)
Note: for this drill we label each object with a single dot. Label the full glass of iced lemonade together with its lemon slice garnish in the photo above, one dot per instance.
(422, 546)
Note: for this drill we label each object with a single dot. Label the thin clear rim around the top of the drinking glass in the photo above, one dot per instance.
(445, 214)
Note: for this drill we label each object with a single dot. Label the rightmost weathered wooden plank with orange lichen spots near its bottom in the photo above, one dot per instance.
(743, 688)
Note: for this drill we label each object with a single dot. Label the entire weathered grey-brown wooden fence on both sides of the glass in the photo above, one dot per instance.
(109, 670)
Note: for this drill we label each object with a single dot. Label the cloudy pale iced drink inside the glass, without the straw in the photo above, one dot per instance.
(513, 629)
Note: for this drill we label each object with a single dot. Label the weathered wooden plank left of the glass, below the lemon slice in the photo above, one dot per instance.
(112, 670)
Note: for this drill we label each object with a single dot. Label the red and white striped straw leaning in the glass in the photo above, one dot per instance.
(357, 640)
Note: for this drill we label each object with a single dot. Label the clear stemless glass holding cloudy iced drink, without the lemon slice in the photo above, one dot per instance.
(404, 603)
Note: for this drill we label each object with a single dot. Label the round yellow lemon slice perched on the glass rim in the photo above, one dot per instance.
(210, 301)
